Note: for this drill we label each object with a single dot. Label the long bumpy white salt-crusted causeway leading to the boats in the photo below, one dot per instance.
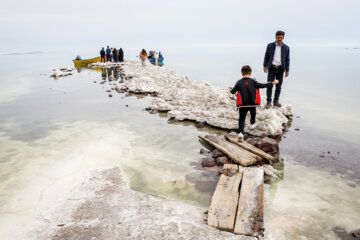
(186, 99)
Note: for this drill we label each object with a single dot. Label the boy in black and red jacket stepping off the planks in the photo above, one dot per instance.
(248, 97)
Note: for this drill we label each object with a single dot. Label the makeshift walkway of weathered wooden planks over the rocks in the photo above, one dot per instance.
(238, 201)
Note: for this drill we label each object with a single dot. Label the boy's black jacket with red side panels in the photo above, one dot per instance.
(248, 92)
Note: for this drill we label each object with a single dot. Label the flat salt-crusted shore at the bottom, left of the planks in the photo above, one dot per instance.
(100, 205)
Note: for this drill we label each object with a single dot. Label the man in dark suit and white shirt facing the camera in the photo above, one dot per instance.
(276, 62)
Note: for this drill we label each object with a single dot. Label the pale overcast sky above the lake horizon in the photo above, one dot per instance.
(48, 25)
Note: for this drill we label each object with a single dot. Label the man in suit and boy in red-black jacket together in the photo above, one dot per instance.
(276, 62)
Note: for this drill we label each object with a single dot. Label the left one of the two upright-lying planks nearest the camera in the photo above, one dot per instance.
(224, 202)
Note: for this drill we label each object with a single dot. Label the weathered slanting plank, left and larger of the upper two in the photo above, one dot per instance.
(234, 152)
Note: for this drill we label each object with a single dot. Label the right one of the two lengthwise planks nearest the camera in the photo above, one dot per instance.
(250, 214)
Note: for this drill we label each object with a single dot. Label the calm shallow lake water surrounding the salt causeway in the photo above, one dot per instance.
(51, 129)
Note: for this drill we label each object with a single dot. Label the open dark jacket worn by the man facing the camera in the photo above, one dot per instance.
(285, 56)
